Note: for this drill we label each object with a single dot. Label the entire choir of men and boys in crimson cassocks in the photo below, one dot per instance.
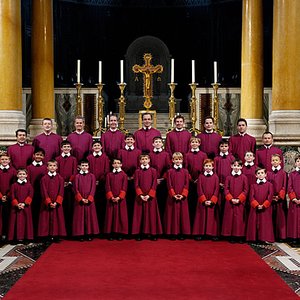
(122, 185)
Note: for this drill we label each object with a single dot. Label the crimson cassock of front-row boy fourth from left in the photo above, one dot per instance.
(116, 219)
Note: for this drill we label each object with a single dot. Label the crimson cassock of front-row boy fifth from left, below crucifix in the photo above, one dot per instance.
(146, 218)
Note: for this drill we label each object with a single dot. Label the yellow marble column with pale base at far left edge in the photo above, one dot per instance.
(11, 115)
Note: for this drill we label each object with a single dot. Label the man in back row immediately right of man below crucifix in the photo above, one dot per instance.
(178, 140)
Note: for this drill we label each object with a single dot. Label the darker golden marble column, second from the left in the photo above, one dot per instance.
(42, 64)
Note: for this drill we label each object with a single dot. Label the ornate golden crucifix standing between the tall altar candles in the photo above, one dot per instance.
(147, 70)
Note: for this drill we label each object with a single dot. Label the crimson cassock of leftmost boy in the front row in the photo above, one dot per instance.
(20, 221)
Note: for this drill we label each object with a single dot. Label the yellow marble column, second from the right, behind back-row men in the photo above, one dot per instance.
(252, 67)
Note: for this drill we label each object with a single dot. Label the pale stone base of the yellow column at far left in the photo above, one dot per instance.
(10, 121)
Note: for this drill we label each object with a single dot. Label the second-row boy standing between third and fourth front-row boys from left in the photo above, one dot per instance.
(99, 166)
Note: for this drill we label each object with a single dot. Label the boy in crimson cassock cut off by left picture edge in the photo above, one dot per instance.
(8, 176)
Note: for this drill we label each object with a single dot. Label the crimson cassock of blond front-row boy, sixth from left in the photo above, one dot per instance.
(176, 217)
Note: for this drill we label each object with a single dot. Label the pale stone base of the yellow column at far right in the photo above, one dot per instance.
(284, 124)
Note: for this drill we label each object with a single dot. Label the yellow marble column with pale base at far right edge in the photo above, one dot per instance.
(285, 114)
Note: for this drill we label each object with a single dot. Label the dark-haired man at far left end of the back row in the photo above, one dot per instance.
(21, 152)
